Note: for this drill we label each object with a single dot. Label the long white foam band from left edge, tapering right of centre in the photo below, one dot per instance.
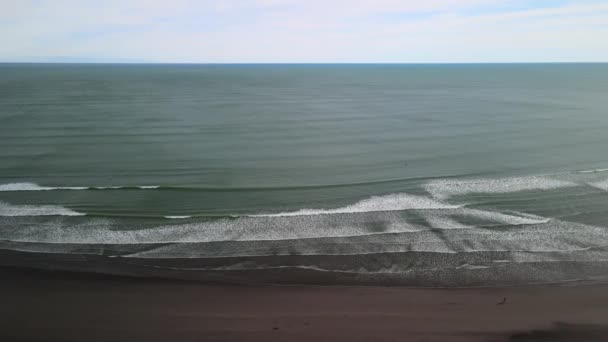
(241, 229)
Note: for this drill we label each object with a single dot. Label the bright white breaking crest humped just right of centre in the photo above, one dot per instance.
(392, 202)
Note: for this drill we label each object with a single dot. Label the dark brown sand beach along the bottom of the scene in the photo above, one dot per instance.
(48, 306)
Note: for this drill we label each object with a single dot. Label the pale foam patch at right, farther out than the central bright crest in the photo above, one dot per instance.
(443, 189)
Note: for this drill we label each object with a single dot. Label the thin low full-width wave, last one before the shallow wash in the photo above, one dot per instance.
(255, 251)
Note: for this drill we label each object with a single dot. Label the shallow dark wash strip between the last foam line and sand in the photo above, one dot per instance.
(218, 271)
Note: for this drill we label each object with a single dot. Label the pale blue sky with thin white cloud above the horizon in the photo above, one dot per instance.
(303, 31)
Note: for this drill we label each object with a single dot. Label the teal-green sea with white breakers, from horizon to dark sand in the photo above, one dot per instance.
(430, 175)
